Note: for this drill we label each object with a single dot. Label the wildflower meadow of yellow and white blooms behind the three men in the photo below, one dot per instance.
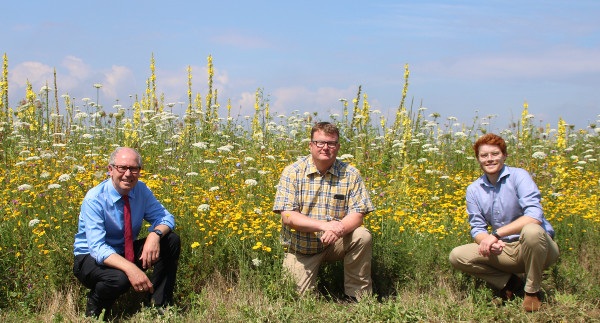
(217, 173)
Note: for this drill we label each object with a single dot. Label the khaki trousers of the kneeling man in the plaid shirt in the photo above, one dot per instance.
(354, 248)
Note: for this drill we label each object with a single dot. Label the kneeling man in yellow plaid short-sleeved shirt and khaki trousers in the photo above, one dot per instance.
(322, 202)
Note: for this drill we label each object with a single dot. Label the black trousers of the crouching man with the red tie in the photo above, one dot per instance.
(106, 284)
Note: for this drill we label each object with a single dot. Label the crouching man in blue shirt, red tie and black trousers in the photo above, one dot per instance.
(99, 248)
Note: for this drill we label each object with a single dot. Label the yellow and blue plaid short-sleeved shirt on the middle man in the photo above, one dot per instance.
(326, 197)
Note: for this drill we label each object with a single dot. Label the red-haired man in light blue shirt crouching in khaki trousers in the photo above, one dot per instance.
(521, 241)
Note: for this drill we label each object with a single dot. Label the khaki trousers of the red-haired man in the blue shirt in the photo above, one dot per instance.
(534, 252)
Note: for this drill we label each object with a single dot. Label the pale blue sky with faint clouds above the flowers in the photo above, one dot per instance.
(463, 56)
